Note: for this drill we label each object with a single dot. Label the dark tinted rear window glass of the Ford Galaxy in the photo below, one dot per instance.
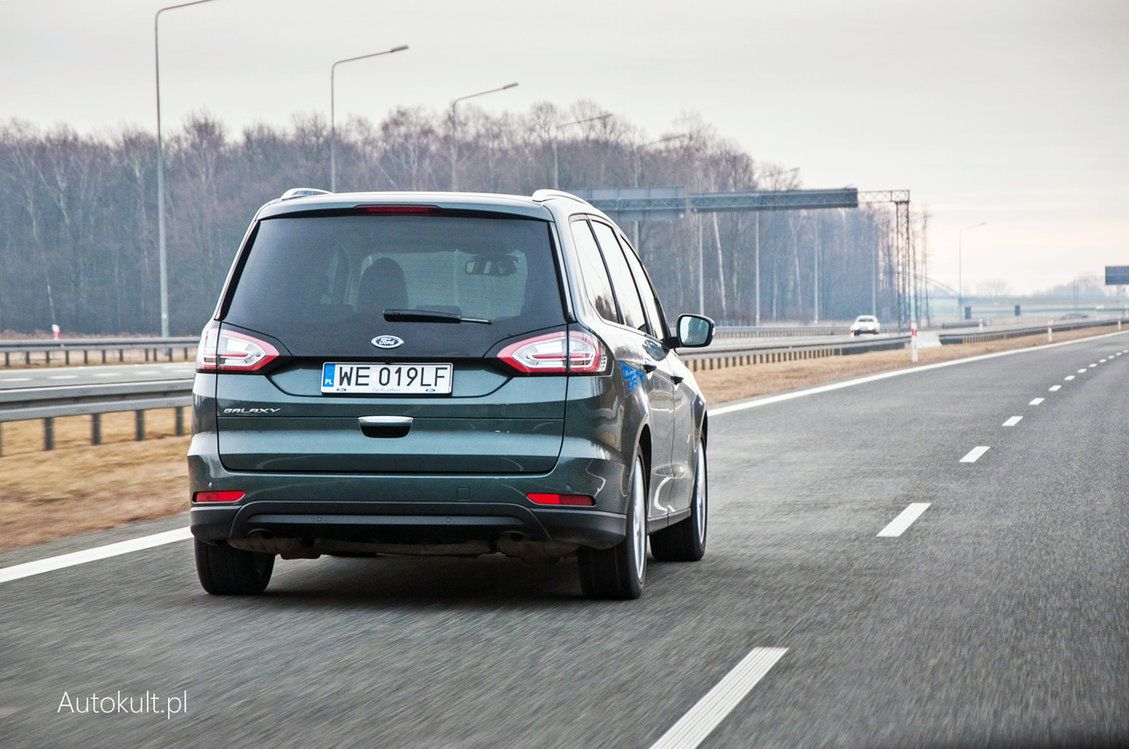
(310, 277)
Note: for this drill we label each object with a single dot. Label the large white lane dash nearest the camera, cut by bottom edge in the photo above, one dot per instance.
(701, 721)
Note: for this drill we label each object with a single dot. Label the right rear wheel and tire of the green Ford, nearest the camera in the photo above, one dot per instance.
(622, 571)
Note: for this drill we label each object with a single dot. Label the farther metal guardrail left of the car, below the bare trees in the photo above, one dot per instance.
(154, 350)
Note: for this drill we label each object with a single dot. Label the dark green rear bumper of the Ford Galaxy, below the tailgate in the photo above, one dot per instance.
(409, 509)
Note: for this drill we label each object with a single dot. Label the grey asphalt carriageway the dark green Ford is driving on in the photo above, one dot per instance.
(999, 617)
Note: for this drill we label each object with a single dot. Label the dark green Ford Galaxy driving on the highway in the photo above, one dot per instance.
(444, 374)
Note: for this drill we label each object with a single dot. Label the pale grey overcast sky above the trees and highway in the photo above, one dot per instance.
(1013, 112)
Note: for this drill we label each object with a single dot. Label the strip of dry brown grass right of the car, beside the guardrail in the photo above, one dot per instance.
(738, 384)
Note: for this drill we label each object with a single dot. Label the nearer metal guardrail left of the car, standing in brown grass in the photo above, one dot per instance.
(48, 404)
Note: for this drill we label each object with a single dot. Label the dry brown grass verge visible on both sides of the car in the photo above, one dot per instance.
(78, 489)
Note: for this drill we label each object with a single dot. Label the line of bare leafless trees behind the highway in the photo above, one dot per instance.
(78, 213)
